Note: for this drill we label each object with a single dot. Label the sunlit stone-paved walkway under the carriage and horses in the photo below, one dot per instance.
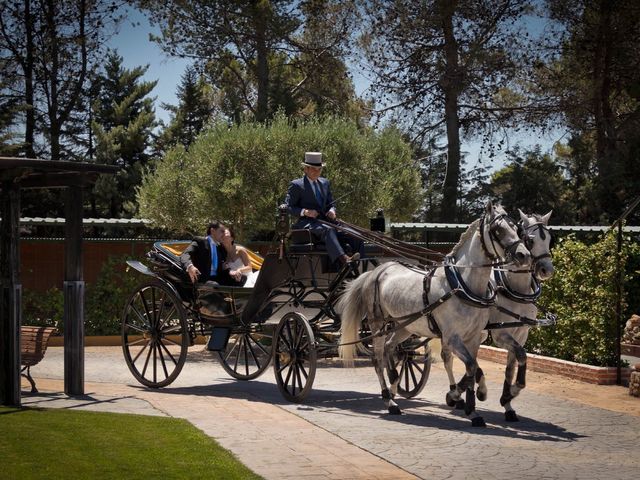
(343, 432)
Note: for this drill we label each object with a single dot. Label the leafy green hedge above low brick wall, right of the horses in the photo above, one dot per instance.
(583, 295)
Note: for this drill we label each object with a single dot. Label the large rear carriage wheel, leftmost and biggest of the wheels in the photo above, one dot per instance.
(155, 336)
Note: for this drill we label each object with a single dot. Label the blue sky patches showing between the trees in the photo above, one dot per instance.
(133, 44)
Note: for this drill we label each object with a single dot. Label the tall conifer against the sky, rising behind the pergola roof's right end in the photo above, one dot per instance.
(123, 122)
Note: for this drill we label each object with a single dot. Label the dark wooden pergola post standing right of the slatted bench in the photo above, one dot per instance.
(73, 294)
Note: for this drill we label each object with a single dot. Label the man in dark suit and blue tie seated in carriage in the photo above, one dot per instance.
(204, 259)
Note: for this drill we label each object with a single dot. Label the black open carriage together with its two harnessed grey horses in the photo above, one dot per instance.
(289, 316)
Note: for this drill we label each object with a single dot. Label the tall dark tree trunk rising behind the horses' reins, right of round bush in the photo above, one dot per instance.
(451, 84)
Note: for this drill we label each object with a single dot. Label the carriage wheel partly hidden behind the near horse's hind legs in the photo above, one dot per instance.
(415, 366)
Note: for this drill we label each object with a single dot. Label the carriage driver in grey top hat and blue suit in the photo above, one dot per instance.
(309, 199)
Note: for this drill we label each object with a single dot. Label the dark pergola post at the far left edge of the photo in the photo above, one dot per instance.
(10, 303)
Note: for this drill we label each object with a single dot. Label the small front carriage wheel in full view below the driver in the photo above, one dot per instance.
(295, 357)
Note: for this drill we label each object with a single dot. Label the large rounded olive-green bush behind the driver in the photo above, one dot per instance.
(240, 174)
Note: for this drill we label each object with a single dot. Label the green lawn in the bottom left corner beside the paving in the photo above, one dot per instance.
(65, 444)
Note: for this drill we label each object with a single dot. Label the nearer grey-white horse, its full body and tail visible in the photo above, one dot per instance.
(448, 302)
